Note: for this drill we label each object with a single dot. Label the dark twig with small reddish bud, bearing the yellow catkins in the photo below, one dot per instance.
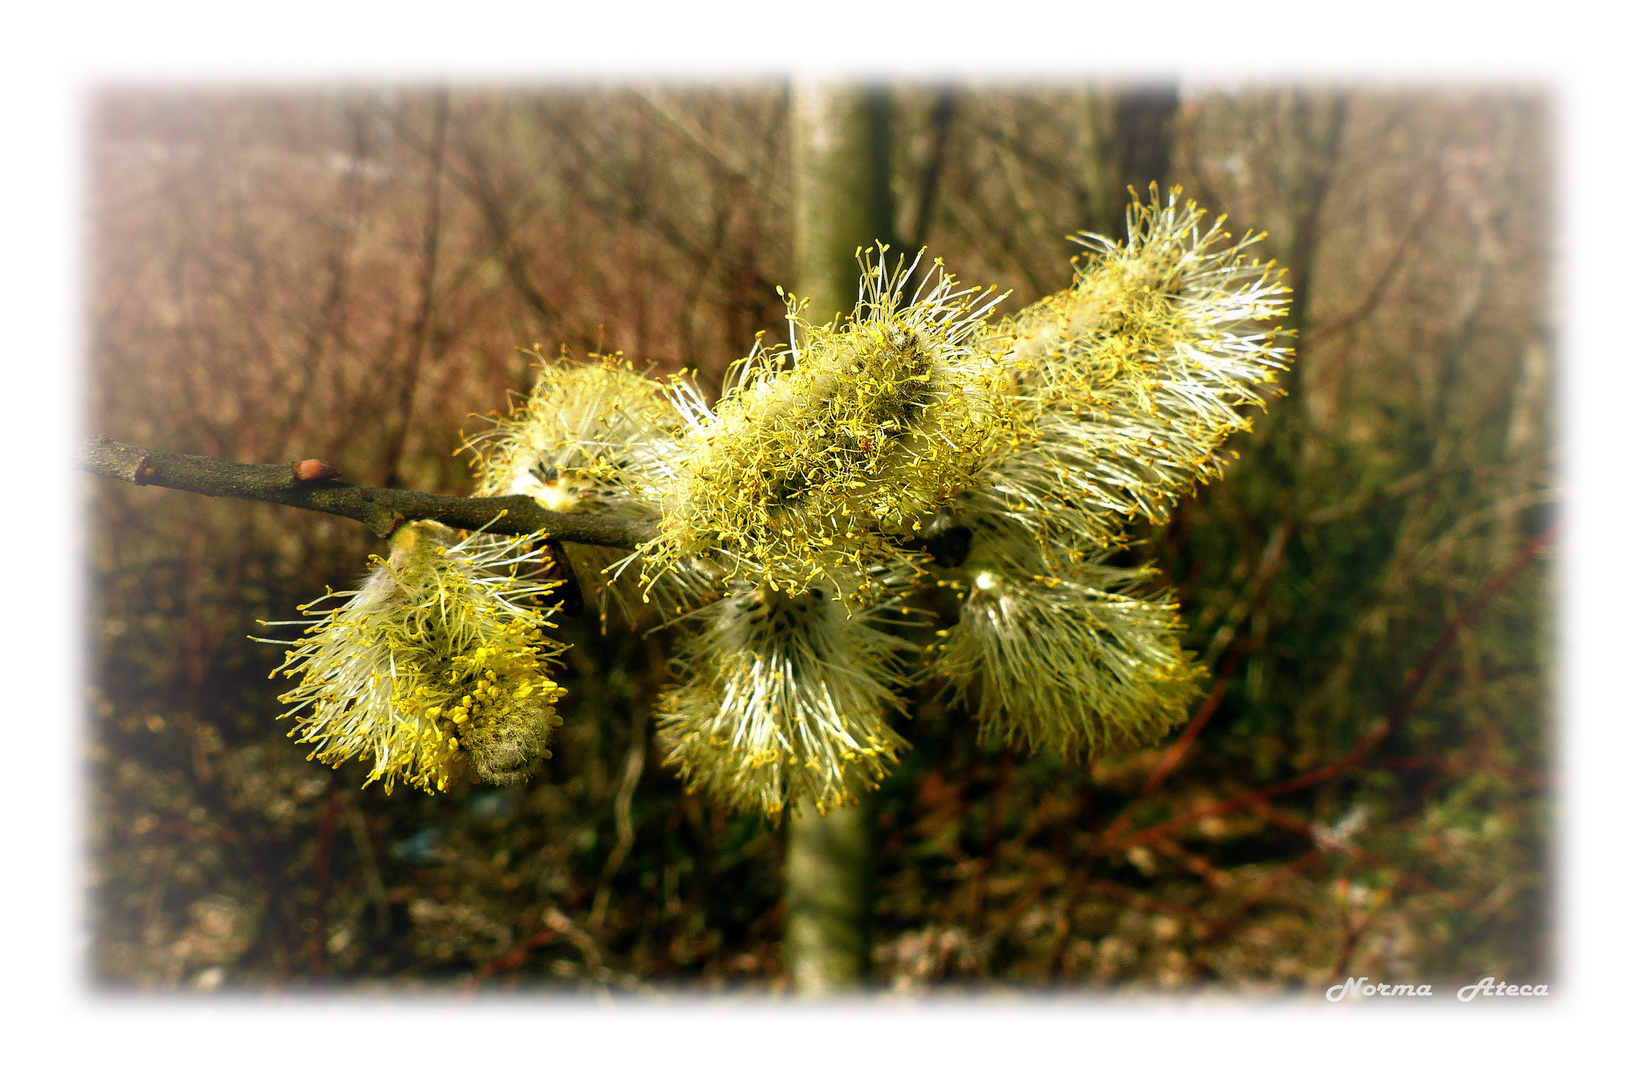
(382, 510)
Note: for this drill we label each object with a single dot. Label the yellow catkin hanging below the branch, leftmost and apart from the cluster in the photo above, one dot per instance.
(434, 669)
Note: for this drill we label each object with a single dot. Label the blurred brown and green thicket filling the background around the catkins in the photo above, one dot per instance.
(349, 275)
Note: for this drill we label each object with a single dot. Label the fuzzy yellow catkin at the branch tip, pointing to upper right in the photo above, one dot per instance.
(1134, 377)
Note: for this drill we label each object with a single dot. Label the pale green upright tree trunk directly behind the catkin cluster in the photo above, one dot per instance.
(842, 163)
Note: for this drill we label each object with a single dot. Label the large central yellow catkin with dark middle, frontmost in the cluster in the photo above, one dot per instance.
(823, 455)
